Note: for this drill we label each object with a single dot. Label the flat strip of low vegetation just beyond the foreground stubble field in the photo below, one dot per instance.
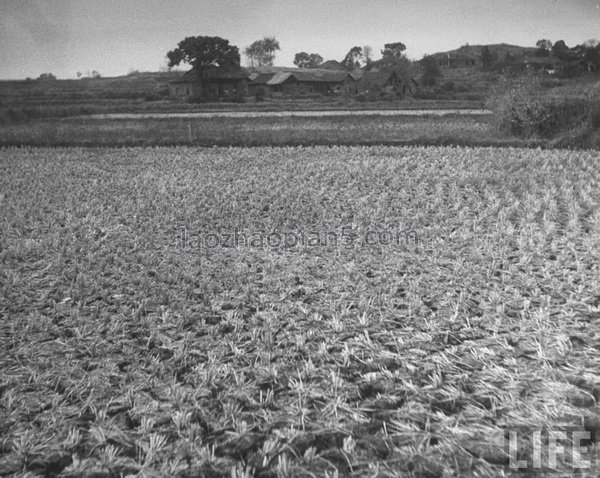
(275, 131)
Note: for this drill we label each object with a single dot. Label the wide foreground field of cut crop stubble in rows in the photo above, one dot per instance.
(135, 342)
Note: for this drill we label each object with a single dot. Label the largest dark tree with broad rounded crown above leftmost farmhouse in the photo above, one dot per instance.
(202, 52)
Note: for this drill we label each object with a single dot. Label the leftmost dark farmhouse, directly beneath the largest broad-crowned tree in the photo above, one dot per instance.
(211, 83)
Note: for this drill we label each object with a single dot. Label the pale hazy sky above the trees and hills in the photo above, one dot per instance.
(116, 36)
